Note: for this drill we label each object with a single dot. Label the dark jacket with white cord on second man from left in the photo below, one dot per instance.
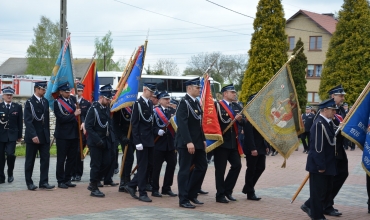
(36, 120)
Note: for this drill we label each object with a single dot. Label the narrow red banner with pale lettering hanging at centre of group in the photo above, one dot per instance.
(210, 124)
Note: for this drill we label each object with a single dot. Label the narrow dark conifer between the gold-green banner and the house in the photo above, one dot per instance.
(298, 69)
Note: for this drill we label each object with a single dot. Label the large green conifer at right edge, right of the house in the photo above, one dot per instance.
(348, 58)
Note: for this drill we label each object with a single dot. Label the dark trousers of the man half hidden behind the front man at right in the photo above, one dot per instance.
(338, 181)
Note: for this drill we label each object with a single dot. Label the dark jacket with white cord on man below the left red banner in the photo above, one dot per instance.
(95, 132)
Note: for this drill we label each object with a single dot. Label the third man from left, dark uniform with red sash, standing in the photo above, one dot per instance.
(66, 135)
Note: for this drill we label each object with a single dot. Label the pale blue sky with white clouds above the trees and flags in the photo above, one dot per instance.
(177, 29)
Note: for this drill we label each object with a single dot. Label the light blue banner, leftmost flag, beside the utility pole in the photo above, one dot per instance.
(62, 72)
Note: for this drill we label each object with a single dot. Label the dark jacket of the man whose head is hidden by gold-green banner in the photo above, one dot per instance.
(253, 140)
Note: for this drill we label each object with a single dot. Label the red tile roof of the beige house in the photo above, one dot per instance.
(326, 22)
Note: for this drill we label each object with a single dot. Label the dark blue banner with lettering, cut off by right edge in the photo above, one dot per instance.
(357, 126)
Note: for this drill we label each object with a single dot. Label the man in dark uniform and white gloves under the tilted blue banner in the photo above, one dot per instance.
(142, 135)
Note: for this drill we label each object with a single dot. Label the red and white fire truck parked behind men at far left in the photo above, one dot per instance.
(23, 84)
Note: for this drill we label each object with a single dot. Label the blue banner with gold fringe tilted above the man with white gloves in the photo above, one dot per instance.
(129, 88)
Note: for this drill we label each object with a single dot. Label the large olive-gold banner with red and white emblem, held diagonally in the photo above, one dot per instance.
(275, 113)
